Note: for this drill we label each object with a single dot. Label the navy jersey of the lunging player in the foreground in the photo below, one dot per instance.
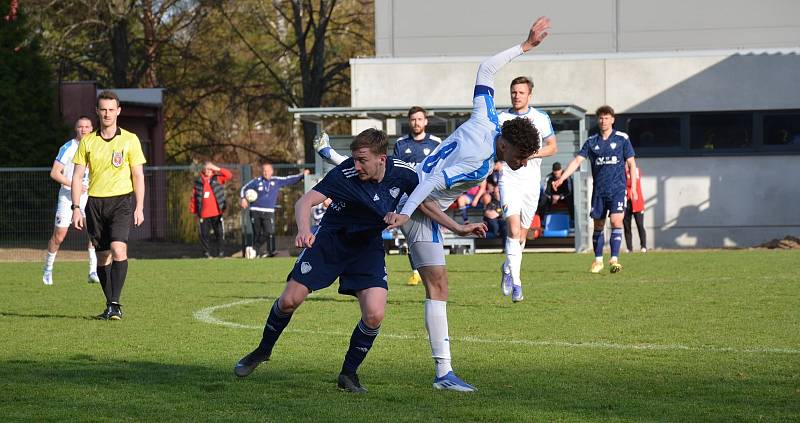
(358, 205)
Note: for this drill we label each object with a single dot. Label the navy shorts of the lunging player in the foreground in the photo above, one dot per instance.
(356, 259)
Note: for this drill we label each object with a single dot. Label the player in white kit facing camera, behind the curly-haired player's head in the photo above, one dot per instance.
(519, 189)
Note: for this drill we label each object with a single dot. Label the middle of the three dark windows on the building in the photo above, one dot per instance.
(721, 131)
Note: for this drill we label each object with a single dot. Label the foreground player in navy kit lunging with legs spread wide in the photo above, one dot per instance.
(347, 245)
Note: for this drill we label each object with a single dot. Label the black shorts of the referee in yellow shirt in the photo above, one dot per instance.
(108, 219)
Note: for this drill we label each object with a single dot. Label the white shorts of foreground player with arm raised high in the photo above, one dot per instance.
(424, 238)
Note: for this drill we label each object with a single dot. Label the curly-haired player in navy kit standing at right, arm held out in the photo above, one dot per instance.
(609, 152)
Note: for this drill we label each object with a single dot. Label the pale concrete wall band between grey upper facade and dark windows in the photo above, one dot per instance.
(640, 82)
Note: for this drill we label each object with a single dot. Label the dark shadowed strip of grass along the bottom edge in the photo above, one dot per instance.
(568, 391)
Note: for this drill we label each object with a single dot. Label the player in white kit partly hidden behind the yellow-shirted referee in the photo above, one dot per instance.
(61, 172)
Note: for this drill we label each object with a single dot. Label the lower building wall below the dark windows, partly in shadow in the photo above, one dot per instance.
(709, 202)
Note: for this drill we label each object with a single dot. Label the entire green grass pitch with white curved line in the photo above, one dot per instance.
(695, 336)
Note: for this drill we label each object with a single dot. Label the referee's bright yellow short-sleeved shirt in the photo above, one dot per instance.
(110, 162)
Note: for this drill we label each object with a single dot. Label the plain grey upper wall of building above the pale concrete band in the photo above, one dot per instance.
(416, 28)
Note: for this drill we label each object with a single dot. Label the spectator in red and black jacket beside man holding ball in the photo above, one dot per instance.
(208, 203)
